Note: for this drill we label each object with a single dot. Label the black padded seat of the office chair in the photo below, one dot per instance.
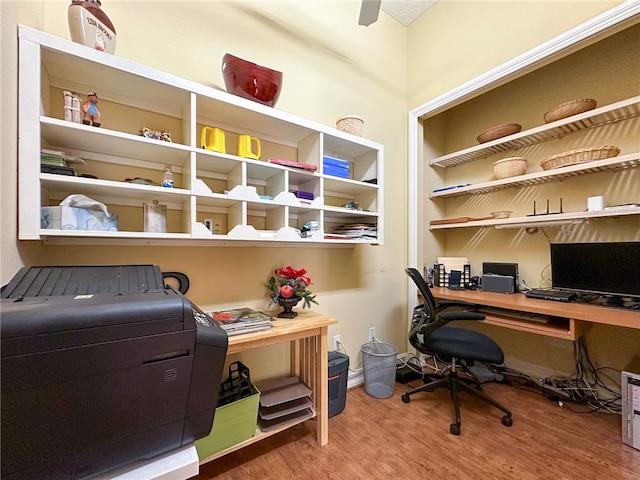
(465, 344)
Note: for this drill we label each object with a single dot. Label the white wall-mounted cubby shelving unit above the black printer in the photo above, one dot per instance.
(252, 200)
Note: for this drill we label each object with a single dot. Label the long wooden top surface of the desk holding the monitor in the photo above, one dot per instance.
(517, 301)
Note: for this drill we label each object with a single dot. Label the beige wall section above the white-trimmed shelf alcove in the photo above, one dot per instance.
(459, 40)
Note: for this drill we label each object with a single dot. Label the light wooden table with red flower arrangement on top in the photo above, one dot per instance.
(307, 334)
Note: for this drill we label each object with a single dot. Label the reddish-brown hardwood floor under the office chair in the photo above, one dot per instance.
(387, 439)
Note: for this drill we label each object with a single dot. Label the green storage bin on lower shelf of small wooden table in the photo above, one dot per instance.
(232, 424)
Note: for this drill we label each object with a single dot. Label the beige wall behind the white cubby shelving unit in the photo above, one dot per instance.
(331, 66)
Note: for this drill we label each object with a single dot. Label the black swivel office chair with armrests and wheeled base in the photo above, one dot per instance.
(450, 344)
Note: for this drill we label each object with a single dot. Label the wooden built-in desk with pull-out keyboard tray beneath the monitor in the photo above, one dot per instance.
(571, 319)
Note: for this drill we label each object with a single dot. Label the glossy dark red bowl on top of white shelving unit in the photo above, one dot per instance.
(251, 81)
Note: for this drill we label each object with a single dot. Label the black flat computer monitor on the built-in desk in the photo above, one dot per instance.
(603, 268)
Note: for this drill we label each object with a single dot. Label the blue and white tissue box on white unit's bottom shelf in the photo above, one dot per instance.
(73, 218)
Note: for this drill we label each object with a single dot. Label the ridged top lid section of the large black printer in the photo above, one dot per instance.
(45, 308)
